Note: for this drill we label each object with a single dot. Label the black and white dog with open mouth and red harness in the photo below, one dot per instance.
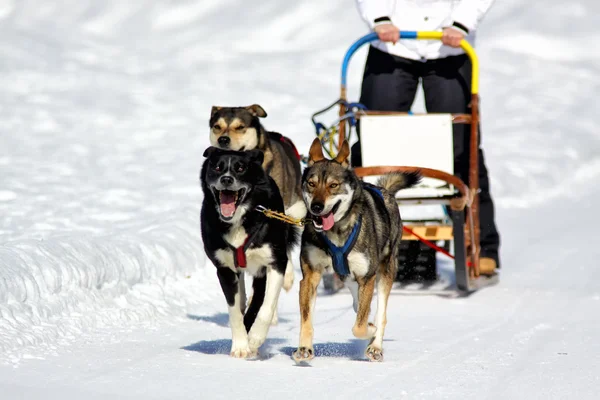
(240, 239)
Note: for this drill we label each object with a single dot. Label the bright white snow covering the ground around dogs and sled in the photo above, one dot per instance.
(104, 287)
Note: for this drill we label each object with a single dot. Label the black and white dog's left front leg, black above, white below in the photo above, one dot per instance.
(239, 338)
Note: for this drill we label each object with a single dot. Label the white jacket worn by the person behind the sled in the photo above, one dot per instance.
(424, 15)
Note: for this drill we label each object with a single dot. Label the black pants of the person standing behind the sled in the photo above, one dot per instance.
(390, 84)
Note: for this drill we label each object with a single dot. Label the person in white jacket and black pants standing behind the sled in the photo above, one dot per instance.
(394, 68)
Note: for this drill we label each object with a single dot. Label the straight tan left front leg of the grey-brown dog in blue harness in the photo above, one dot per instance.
(308, 296)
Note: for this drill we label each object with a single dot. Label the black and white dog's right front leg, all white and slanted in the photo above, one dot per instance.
(260, 328)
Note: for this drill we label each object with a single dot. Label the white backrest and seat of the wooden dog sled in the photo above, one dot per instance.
(410, 140)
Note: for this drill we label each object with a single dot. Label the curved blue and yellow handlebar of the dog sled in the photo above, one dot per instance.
(421, 35)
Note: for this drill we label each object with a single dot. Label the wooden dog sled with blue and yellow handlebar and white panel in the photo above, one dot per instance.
(422, 142)
